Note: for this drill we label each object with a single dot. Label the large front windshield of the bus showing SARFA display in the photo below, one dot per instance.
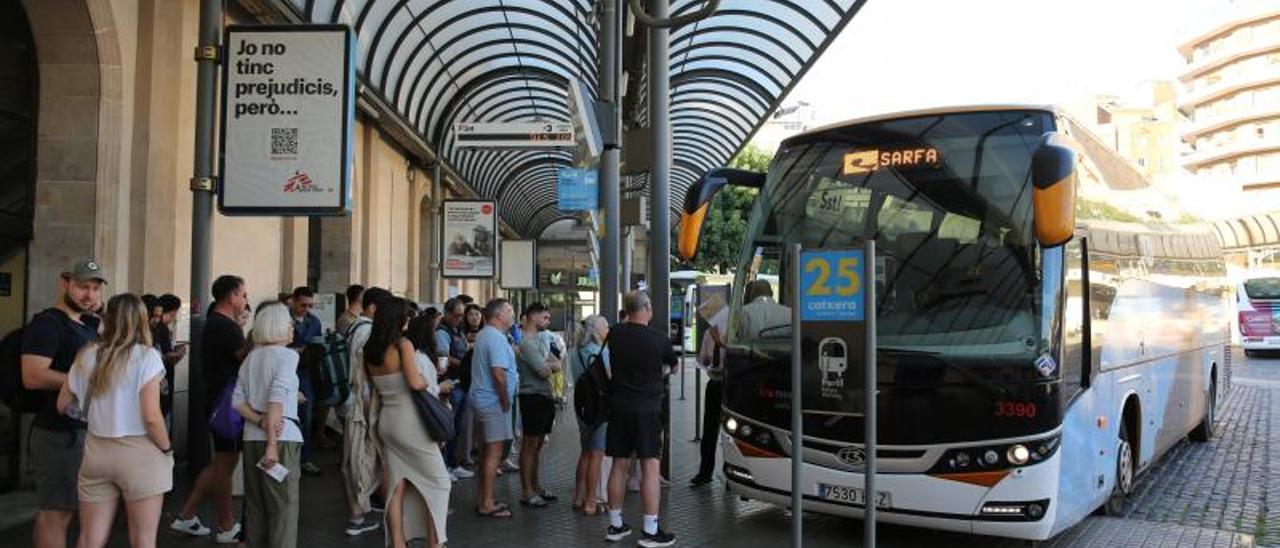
(948, 199)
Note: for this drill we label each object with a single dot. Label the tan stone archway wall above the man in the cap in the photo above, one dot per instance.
(79, 209)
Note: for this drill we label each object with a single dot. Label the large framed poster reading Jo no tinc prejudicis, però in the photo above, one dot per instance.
(287, 121)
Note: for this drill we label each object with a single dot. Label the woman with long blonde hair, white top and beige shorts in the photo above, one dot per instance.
(115, 386)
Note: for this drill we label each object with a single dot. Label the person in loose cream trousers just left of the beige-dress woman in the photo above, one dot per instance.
(360, 449)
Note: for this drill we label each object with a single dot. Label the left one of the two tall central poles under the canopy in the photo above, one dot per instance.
(611, 62)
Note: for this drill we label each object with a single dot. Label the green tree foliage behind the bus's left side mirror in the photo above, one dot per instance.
(725, 226)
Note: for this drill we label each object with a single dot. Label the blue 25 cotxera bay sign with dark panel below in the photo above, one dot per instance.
(834, 331)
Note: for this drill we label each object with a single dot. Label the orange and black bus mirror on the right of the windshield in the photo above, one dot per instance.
(1054, 190)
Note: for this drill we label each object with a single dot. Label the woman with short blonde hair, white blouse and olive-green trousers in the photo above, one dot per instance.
(267, 396)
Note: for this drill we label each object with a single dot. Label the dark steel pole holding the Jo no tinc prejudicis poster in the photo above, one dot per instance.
(208, 54)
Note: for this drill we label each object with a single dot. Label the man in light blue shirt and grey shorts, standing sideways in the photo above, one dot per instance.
(493, 387)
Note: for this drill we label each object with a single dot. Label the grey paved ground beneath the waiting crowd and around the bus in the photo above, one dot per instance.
(1212, 495)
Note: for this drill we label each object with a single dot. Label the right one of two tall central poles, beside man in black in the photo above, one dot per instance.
(660, 193)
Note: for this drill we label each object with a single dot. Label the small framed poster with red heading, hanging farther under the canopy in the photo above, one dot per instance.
(469, 235)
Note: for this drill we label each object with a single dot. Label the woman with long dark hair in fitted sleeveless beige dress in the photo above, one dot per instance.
(418, 501)
